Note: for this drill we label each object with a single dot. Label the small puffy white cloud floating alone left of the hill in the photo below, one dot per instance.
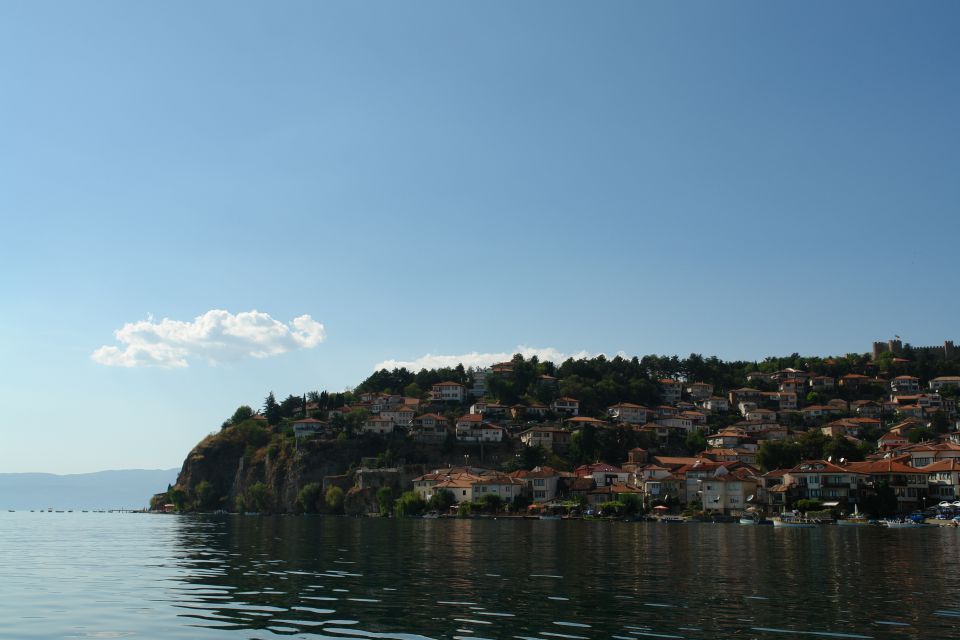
(216, 336)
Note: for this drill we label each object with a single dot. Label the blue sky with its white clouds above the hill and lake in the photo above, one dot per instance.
(204, 202)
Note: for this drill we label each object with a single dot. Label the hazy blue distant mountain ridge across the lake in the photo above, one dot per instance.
(128, 489)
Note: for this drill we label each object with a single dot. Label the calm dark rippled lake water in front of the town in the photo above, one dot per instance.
(149, 576)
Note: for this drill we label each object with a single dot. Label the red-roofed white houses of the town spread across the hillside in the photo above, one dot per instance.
(900, 432)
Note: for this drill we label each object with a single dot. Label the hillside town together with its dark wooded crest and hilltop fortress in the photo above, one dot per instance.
(528, 437)
